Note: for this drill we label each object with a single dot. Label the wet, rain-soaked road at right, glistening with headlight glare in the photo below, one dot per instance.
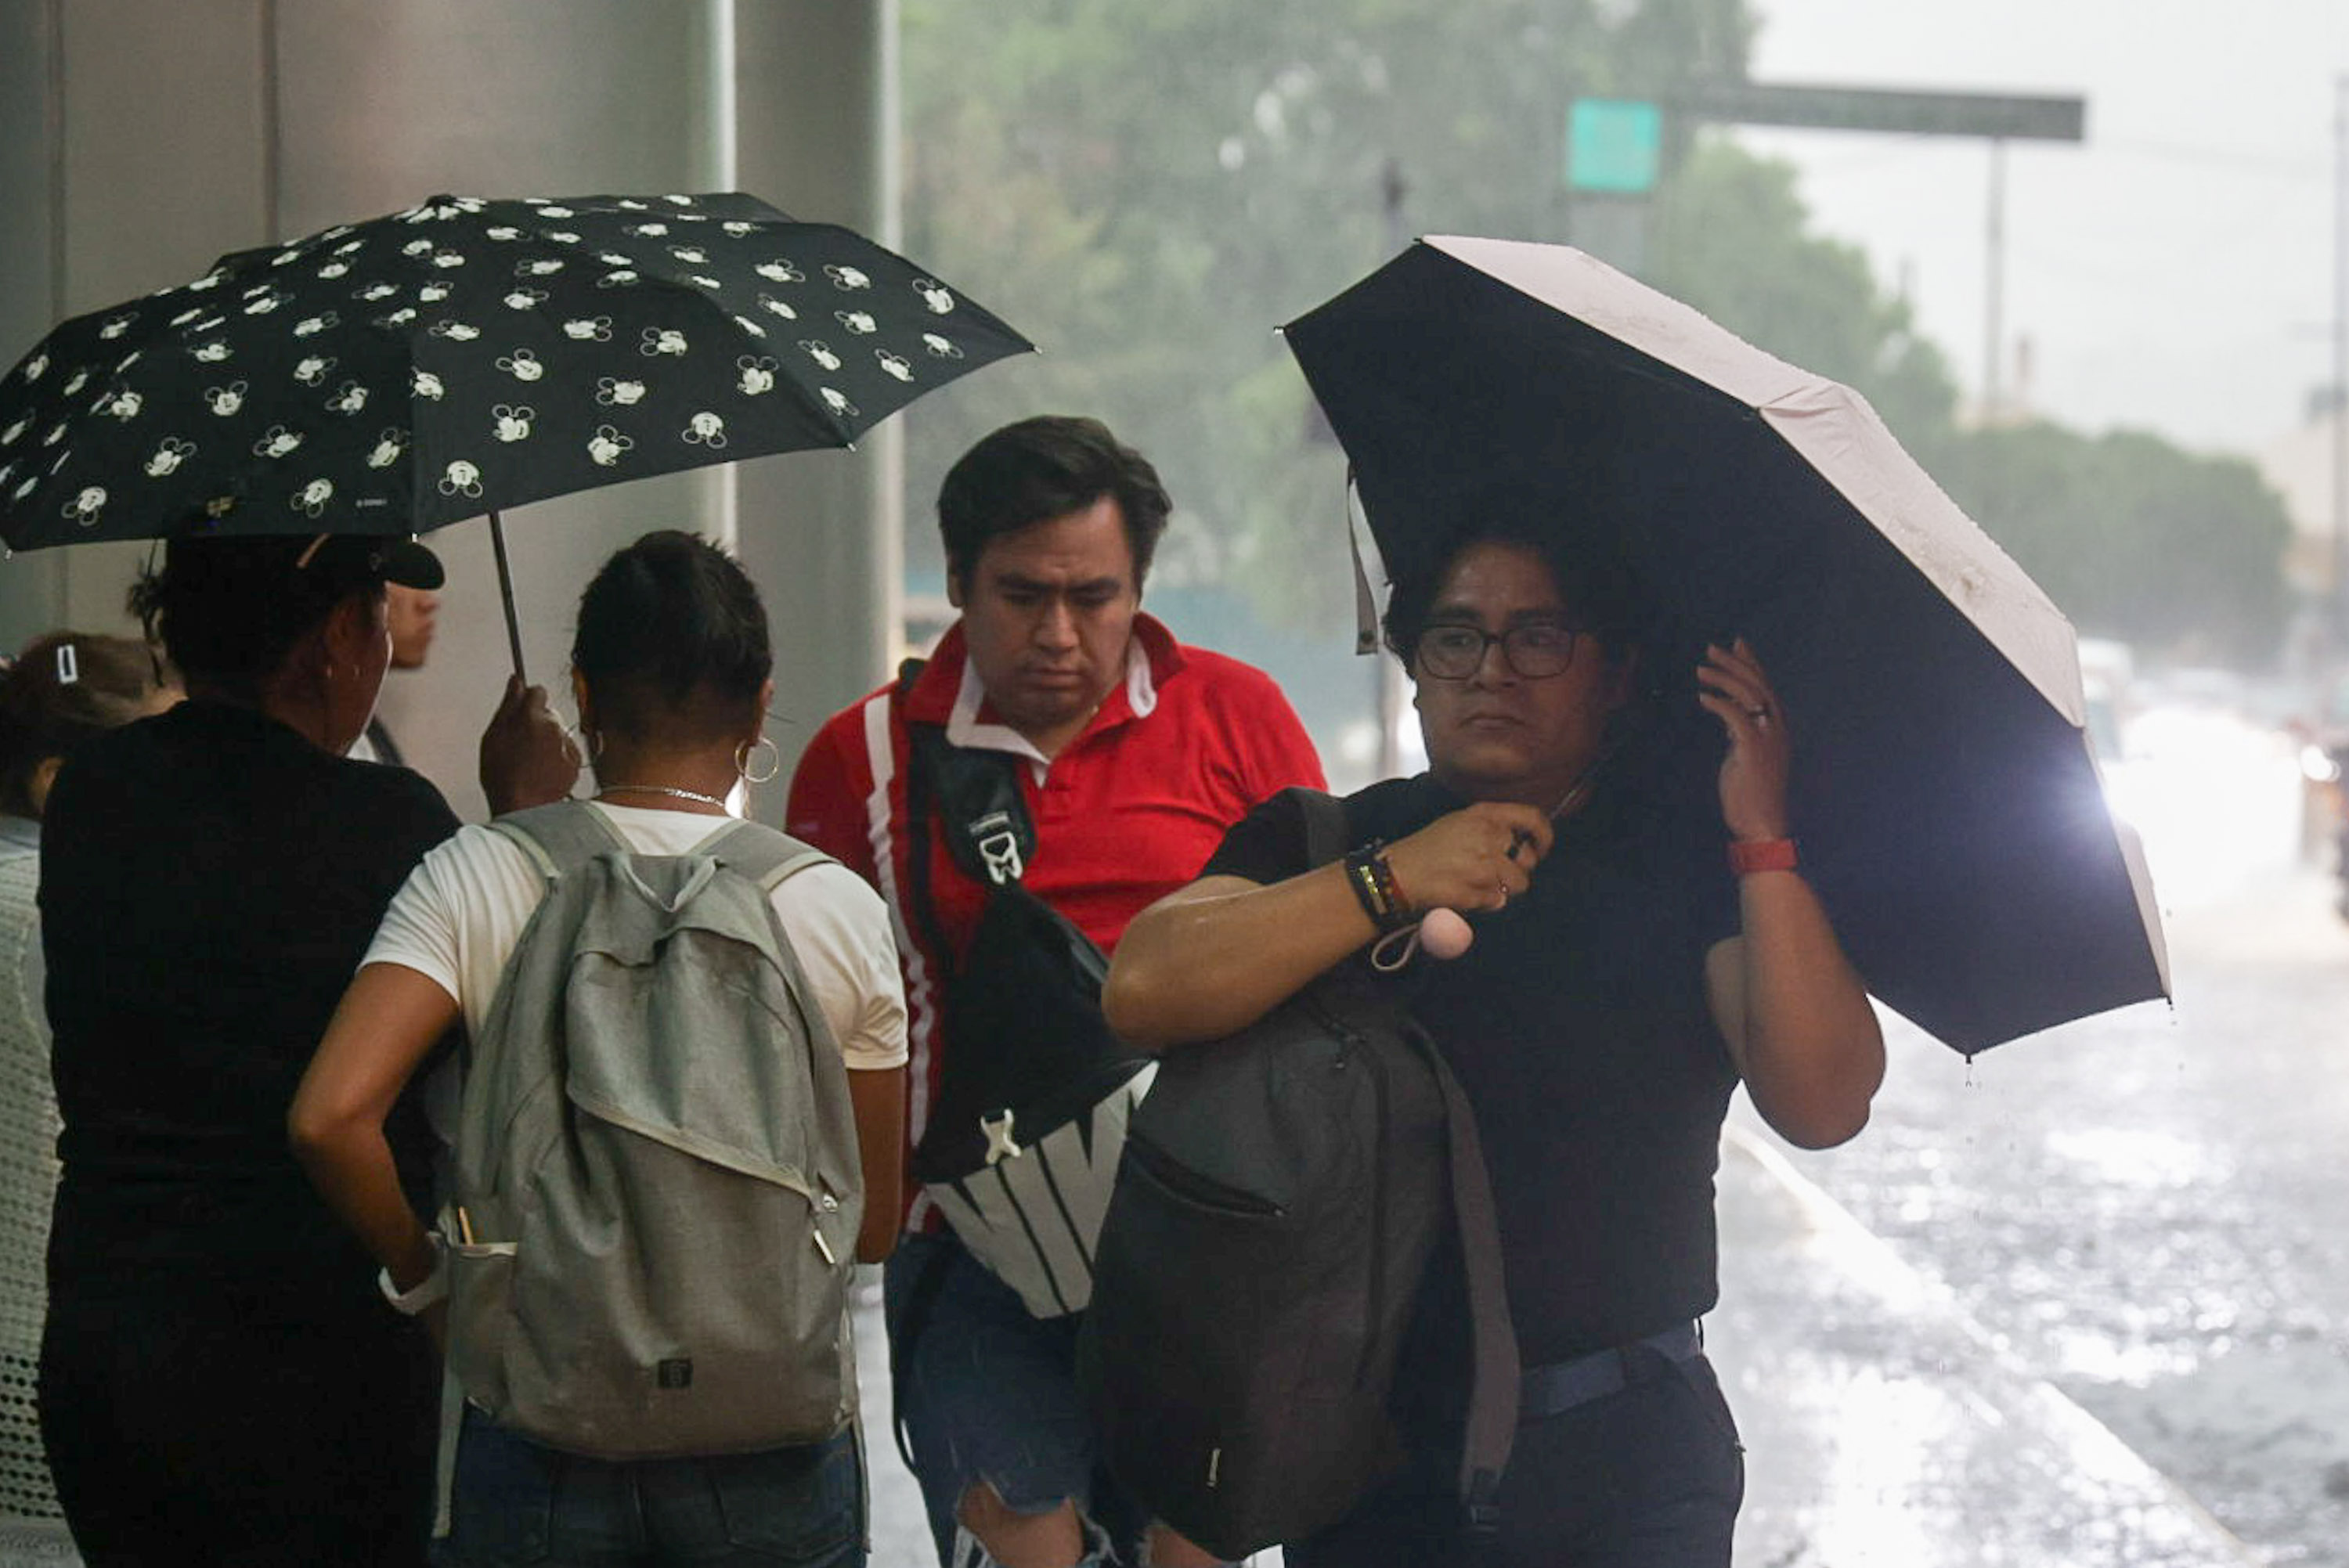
(2148, 1208)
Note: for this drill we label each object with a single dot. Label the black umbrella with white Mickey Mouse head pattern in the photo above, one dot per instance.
(471, 356)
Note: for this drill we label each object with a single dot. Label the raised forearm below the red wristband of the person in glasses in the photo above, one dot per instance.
(1812, 1048)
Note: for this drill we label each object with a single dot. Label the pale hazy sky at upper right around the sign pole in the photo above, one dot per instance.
(2174, 271)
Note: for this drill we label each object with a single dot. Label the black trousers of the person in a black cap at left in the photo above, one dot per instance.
(184, 1438)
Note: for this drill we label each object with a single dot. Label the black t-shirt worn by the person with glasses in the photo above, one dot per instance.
(1580, 1029)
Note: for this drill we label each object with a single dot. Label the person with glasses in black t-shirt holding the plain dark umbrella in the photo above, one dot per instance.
(1615, 994)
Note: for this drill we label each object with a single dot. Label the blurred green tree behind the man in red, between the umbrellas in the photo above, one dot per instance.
(1152, 187)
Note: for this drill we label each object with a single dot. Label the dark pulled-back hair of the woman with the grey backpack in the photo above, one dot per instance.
(673, 642)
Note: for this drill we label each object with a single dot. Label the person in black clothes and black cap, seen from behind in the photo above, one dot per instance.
(220, 1381)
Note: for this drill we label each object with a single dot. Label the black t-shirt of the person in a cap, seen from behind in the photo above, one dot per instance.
(210, 884)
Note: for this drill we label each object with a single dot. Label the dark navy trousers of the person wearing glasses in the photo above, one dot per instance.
(1648, 1478)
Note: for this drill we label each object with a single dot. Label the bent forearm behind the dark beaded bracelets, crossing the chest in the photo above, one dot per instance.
(1218, 957)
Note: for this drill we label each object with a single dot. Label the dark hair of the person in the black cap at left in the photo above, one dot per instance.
(229, 609)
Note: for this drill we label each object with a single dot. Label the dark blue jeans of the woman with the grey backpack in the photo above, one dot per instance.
(527, 1503)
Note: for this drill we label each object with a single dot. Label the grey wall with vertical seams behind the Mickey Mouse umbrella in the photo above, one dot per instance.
(144, 137)
